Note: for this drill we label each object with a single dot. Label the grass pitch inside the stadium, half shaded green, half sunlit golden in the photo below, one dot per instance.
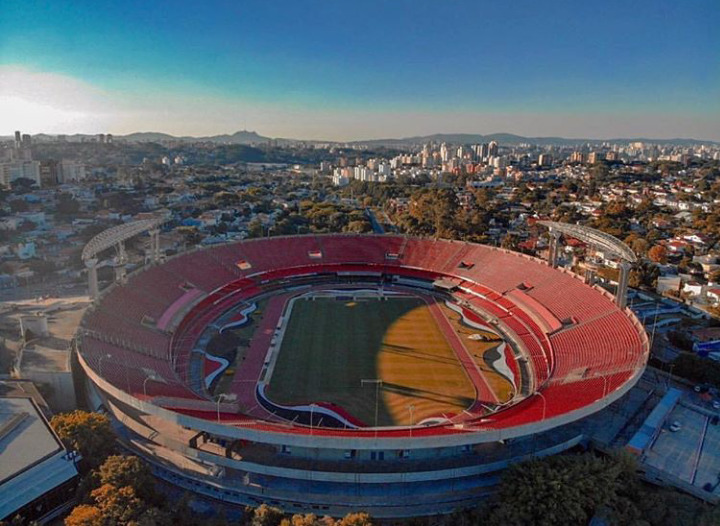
(331, 345)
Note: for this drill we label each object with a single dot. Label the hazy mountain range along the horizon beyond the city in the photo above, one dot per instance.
(251, 137)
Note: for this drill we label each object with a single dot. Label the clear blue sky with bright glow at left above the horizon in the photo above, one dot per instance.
(344, 70)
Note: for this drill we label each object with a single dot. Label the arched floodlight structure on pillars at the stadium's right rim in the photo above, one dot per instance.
(609, 244)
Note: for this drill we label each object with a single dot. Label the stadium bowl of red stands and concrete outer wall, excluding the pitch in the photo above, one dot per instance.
(571, 351)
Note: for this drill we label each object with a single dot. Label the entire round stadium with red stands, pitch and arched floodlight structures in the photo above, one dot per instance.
(335, 373)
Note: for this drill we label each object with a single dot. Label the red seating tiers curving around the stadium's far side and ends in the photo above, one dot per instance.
(596, 349)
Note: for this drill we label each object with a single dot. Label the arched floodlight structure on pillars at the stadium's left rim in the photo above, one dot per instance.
(116, 237)
